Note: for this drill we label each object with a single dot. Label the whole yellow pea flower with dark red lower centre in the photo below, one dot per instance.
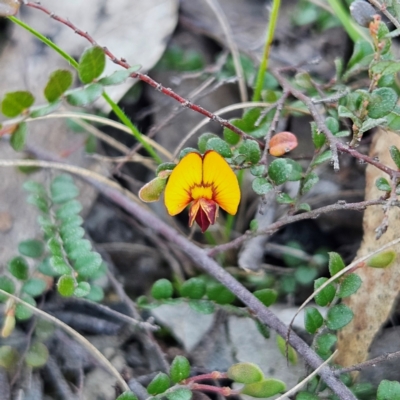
(206, 182)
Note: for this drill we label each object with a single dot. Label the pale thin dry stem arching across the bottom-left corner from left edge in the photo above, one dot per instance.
(79, 338)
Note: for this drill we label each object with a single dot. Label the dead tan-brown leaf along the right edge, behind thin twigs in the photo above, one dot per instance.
(373, 302)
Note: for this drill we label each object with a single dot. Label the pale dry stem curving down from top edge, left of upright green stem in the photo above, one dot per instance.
(219, 13)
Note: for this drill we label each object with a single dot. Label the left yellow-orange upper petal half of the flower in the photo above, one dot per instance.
(183, 177)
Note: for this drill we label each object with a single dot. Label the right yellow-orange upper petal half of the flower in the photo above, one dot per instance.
(218, 173)
